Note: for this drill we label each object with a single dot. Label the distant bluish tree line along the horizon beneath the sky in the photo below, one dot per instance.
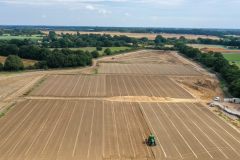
(200, 31)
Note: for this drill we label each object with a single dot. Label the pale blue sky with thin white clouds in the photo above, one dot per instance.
(123, 13)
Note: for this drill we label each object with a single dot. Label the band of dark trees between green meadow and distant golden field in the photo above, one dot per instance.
(86, 40)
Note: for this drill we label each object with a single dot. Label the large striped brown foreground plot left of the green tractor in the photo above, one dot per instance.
(60, 130)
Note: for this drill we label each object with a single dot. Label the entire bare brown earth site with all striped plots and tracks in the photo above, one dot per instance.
(110, 111)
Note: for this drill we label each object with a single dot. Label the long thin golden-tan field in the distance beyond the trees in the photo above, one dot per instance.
(150, 36)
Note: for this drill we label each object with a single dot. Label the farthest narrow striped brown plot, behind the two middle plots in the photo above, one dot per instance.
(147, 69)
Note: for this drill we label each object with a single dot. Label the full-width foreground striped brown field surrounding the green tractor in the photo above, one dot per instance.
(62, 129)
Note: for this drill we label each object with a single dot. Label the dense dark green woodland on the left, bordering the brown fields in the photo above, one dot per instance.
(48, 58)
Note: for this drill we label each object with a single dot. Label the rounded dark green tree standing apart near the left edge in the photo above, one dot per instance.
(13, 63)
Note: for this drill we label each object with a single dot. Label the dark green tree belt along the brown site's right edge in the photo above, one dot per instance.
(229, 72)
